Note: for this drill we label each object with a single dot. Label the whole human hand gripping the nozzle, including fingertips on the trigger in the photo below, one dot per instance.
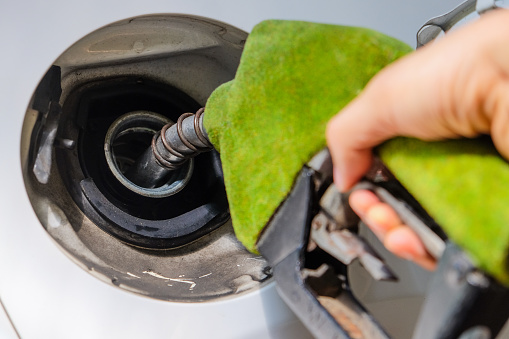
(456, 87)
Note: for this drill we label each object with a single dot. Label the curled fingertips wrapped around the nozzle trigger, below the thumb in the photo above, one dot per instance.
(387, 226)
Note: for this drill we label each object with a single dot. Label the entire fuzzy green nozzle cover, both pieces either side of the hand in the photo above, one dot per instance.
(270, 120)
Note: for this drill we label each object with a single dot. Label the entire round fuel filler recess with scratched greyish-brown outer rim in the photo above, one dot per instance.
(179, 247)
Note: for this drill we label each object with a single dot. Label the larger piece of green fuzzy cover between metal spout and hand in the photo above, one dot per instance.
(270, 120)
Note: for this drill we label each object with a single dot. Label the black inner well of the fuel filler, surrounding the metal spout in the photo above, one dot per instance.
(125, 113)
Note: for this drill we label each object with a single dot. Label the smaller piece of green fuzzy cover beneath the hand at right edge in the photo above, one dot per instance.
(462, 185)
